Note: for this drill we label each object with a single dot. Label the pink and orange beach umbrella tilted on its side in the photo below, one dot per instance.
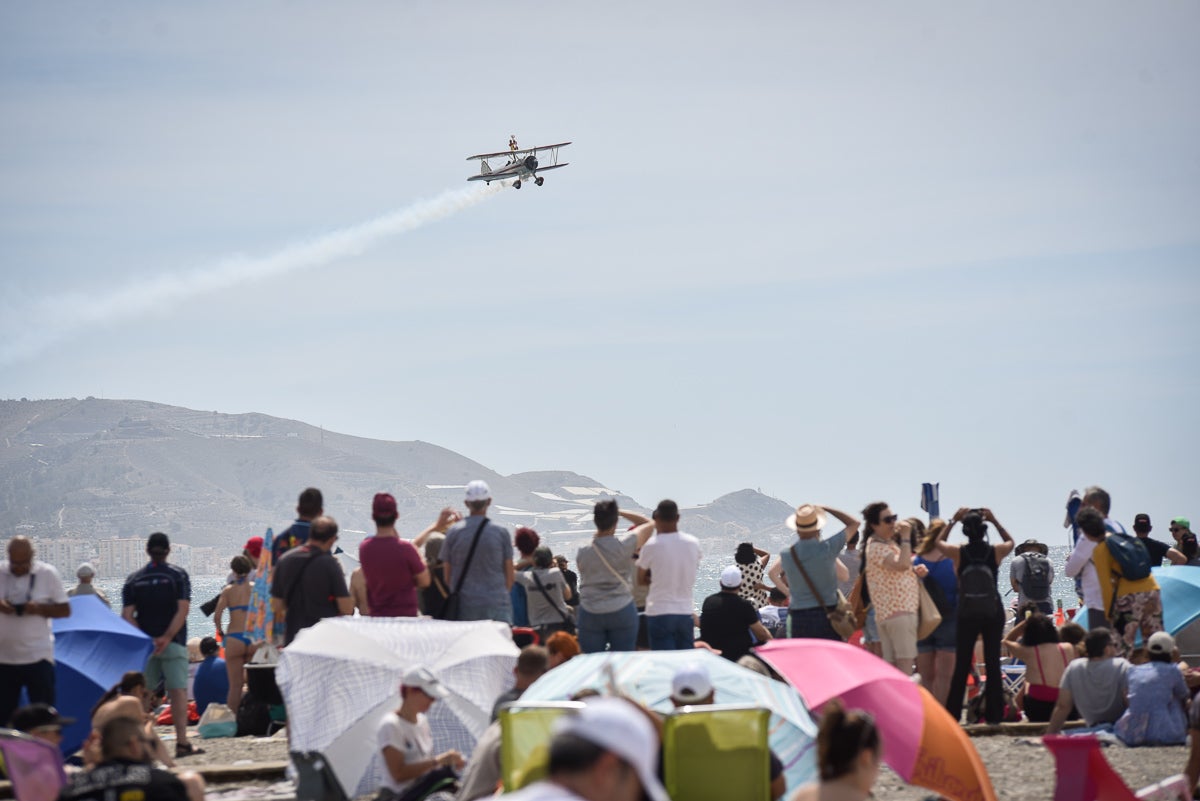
(922, 743)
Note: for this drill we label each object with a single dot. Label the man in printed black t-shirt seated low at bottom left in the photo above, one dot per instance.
(128, 772)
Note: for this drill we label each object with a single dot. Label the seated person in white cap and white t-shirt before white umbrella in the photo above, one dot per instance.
(406, 739)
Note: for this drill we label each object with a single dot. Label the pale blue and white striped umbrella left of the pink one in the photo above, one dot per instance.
(646, 678)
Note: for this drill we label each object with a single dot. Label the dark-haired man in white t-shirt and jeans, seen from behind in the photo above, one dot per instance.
(668, 564)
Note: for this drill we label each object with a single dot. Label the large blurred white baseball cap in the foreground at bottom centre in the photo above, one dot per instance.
(617, 726)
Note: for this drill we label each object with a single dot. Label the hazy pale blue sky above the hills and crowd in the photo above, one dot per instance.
(825, 250)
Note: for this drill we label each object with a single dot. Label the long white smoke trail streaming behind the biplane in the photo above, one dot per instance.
(53, 320)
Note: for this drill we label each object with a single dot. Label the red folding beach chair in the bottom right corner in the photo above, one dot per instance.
(1083, 774)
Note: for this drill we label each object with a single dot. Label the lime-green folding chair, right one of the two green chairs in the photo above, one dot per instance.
(715, 754)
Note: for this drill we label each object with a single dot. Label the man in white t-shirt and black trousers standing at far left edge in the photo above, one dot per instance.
(32, 594)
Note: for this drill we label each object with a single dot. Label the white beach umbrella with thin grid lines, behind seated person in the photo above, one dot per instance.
(343, 676)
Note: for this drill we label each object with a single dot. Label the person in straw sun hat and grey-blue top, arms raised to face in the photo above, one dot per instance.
(809, 571)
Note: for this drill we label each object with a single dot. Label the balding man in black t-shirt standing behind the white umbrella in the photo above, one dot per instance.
(309, 585)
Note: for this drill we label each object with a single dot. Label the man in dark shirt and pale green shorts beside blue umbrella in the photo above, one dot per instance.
(157, 600)
